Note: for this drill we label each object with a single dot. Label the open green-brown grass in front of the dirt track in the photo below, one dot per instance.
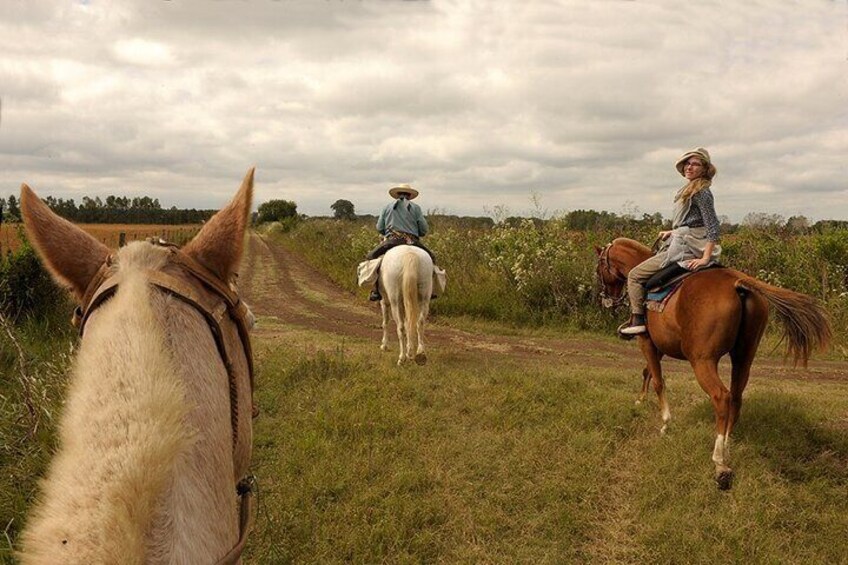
(491, 459)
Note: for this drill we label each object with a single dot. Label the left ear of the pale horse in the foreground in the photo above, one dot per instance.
(72, 256)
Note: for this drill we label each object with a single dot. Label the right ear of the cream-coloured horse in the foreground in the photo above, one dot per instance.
(219, 245)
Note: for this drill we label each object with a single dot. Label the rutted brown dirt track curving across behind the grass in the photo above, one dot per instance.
(281, 287)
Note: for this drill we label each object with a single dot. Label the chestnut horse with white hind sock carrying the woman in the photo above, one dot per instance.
(713, 313)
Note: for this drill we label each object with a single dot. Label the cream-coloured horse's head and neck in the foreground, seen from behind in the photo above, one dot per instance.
(155, 434)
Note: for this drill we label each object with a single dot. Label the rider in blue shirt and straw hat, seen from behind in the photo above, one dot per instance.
(400, 223)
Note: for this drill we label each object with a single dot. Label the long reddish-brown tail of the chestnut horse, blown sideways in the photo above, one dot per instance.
(806, 326)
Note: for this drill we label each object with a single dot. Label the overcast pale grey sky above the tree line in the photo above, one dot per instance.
(534, 106)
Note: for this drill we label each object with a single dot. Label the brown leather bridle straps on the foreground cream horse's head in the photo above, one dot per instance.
(223, 303)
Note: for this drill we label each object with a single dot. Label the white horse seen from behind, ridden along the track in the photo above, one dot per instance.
(406, 283)
